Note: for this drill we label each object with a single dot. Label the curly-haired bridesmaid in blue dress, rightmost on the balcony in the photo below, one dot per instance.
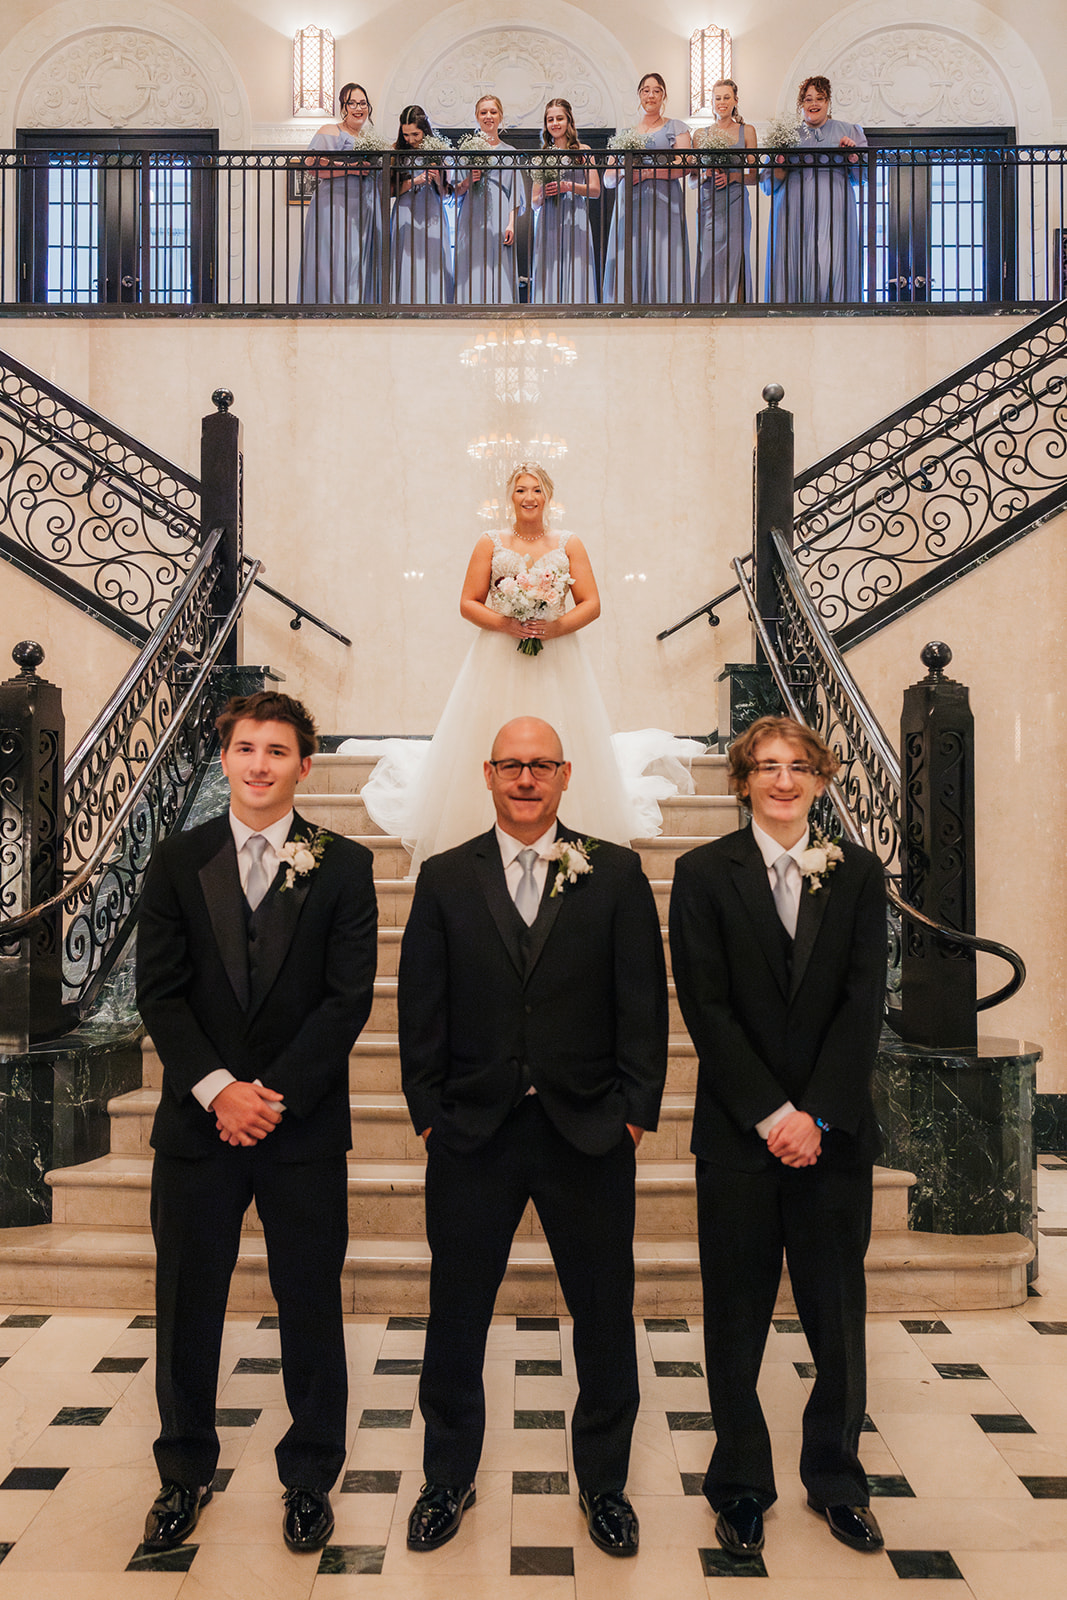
(813, 238)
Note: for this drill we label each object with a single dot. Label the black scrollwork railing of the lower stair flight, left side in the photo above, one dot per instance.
(134, 777)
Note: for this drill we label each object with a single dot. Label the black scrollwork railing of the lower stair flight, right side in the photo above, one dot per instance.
(866, 796)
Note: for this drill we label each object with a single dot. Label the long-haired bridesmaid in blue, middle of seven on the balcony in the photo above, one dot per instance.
(564, 270)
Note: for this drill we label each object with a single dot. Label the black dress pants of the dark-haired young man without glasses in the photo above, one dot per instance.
(198, 1210)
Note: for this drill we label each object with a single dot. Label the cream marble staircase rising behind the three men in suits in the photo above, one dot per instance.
(98, 1249)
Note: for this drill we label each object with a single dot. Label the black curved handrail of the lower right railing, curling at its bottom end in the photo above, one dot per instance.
(879, 743)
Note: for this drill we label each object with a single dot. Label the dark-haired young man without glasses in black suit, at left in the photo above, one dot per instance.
(257, 948)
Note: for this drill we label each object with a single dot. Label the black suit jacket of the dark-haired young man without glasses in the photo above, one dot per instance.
(286, 1010)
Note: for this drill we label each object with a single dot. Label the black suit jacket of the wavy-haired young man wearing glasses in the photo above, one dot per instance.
(770, 1028)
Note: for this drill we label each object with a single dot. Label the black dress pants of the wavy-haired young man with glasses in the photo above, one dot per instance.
(821, 1218)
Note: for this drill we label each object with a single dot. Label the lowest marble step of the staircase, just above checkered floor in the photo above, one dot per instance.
(908, 1274)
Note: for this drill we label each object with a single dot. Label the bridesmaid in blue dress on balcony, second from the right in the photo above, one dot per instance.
(724, 271)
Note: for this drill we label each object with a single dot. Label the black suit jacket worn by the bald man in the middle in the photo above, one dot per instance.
(580, 999)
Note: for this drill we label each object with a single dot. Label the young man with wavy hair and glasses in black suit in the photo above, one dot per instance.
(778, 945)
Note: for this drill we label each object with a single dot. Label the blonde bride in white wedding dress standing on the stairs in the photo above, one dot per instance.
(434, 796)
